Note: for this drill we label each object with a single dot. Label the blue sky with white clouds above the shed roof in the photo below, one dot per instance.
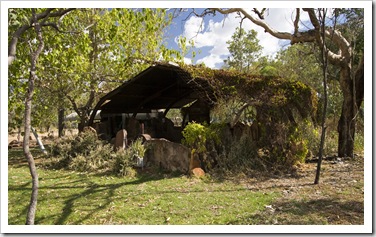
(210, 34)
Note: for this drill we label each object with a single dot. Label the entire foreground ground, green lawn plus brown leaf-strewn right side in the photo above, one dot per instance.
(158, 198)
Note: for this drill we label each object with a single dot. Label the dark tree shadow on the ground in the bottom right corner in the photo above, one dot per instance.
(315, 212)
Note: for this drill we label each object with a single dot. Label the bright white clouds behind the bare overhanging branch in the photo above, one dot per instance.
(215, 34)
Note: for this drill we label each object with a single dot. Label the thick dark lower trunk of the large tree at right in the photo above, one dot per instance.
(353, 93)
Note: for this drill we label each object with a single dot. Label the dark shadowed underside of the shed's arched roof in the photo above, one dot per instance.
(161, 86)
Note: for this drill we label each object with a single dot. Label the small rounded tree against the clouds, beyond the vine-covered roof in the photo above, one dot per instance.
(244, 49)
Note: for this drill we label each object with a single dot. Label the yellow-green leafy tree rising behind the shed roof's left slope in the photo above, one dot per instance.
(104, 48)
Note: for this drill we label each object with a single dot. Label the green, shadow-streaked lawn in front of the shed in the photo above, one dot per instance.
(72, 198)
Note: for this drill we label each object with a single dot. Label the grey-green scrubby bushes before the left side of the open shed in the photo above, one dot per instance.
(87, 153)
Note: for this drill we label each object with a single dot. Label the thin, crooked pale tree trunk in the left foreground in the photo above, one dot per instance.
(29, 95)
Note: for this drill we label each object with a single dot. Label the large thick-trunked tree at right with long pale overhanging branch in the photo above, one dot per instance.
(351, 75)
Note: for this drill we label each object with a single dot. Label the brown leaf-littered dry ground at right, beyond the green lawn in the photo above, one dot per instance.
(338, 199)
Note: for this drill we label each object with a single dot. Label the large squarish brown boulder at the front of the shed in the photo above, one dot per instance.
(168, 155)
